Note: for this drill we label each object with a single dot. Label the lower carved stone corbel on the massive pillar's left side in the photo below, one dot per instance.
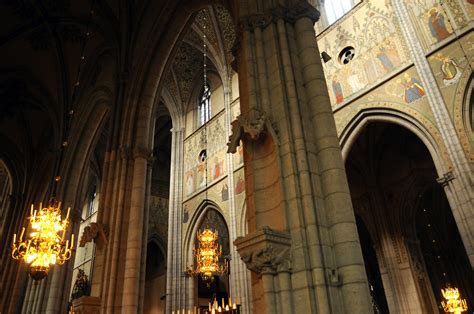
(265, 251)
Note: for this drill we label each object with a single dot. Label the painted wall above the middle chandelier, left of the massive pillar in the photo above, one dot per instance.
(211, 141)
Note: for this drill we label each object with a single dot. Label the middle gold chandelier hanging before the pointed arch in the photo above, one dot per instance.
(207, 256)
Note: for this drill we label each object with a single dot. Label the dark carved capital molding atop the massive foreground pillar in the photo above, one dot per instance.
(301, 9)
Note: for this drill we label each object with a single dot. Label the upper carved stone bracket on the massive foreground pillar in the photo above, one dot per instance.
(242, 128)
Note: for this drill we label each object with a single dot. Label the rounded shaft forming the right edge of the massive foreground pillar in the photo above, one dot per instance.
(349, 263)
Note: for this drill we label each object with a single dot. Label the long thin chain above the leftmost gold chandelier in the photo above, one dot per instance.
(70, 106)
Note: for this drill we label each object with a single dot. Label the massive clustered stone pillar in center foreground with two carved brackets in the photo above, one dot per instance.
(302, 246)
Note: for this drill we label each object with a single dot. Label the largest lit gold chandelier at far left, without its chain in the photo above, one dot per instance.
(45, 246)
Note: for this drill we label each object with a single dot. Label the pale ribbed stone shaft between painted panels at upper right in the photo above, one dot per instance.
(458, 184)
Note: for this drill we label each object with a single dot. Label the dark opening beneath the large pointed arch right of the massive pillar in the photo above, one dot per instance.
(389, 169)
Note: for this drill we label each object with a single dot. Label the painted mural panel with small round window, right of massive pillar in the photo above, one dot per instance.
(372, 30)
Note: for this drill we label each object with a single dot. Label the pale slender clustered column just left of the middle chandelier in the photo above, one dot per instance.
(174, 276)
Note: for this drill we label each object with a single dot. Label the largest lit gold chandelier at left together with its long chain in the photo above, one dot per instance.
(45, 243)
